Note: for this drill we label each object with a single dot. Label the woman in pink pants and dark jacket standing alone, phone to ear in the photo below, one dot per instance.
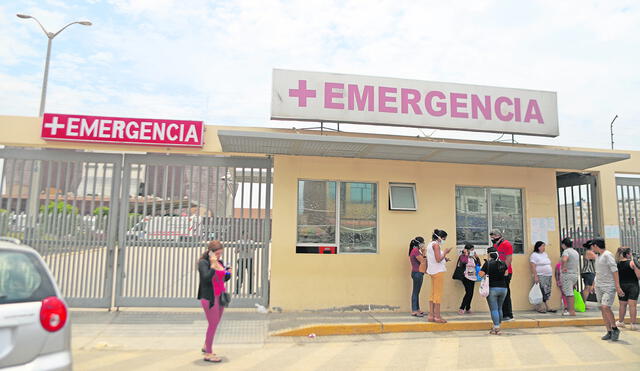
(213, 275)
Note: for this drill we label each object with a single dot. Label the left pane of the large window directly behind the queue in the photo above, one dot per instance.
(472, 223)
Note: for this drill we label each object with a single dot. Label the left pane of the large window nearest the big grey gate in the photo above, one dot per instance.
(316, 212)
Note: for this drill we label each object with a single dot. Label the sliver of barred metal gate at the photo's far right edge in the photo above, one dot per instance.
(628, 190)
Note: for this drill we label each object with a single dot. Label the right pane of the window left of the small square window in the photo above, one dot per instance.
(358, 218)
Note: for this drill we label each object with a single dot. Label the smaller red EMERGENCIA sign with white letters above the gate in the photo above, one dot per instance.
(121, 130)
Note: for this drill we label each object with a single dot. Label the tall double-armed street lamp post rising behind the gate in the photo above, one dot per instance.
(34, 195)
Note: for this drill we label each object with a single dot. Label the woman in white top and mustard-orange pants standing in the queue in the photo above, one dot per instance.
(436, 268)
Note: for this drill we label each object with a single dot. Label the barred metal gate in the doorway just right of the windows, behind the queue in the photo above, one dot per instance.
(578, 210)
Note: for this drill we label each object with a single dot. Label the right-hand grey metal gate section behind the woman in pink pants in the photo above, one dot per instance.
(174, 205)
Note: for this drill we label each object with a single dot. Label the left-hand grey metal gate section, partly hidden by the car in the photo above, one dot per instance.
(60, 203)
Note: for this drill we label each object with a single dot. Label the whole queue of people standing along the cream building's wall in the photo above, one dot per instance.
(603, 276)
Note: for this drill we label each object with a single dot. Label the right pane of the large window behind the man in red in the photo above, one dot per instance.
(506, 213)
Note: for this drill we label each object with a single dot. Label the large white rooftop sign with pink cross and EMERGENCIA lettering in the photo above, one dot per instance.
(329, 97)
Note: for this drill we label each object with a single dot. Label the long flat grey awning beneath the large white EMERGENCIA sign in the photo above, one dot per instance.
(273, 143)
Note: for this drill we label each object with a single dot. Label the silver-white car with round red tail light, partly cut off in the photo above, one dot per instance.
(35, 332)
